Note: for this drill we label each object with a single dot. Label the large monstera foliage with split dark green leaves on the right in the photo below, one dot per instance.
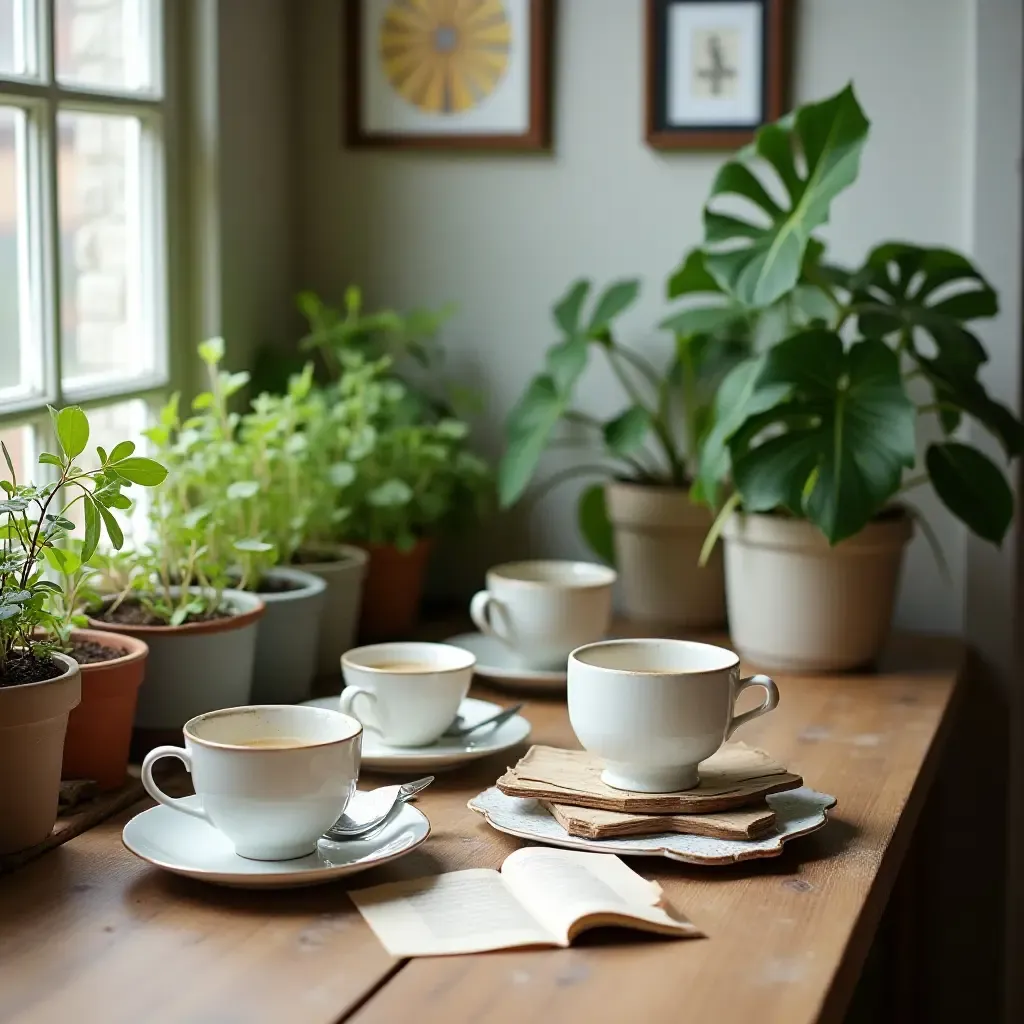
(823, 424)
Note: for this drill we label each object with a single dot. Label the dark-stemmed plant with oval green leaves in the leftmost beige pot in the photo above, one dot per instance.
(36, 614)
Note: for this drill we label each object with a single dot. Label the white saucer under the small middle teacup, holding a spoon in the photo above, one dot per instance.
(446, 754)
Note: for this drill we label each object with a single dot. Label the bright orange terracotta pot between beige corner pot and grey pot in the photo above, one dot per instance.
(100, 729)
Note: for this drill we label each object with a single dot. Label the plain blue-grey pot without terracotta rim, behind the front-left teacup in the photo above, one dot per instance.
(287, 639)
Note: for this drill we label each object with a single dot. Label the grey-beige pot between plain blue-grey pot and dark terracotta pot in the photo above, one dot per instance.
(344, 569)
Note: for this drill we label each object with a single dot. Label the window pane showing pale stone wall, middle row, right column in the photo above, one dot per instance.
(108, 270)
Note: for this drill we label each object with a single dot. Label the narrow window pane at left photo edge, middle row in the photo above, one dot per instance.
(21, 350)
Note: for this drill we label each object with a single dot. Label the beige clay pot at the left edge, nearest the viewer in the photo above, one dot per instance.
(33, 721)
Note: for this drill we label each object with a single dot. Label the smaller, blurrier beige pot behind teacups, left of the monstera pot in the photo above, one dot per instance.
(659, 533)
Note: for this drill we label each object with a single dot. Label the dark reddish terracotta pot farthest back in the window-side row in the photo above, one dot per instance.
(393, 590)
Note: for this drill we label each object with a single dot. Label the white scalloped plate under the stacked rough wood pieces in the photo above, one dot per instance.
(799, 813)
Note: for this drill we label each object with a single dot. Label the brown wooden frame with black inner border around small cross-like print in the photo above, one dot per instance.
(661, 135)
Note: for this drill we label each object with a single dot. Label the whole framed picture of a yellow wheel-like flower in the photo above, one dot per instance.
(449, 74)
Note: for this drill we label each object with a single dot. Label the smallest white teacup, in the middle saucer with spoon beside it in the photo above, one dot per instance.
(407, 693)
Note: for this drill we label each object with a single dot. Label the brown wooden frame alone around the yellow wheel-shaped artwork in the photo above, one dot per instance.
(536, 138)
